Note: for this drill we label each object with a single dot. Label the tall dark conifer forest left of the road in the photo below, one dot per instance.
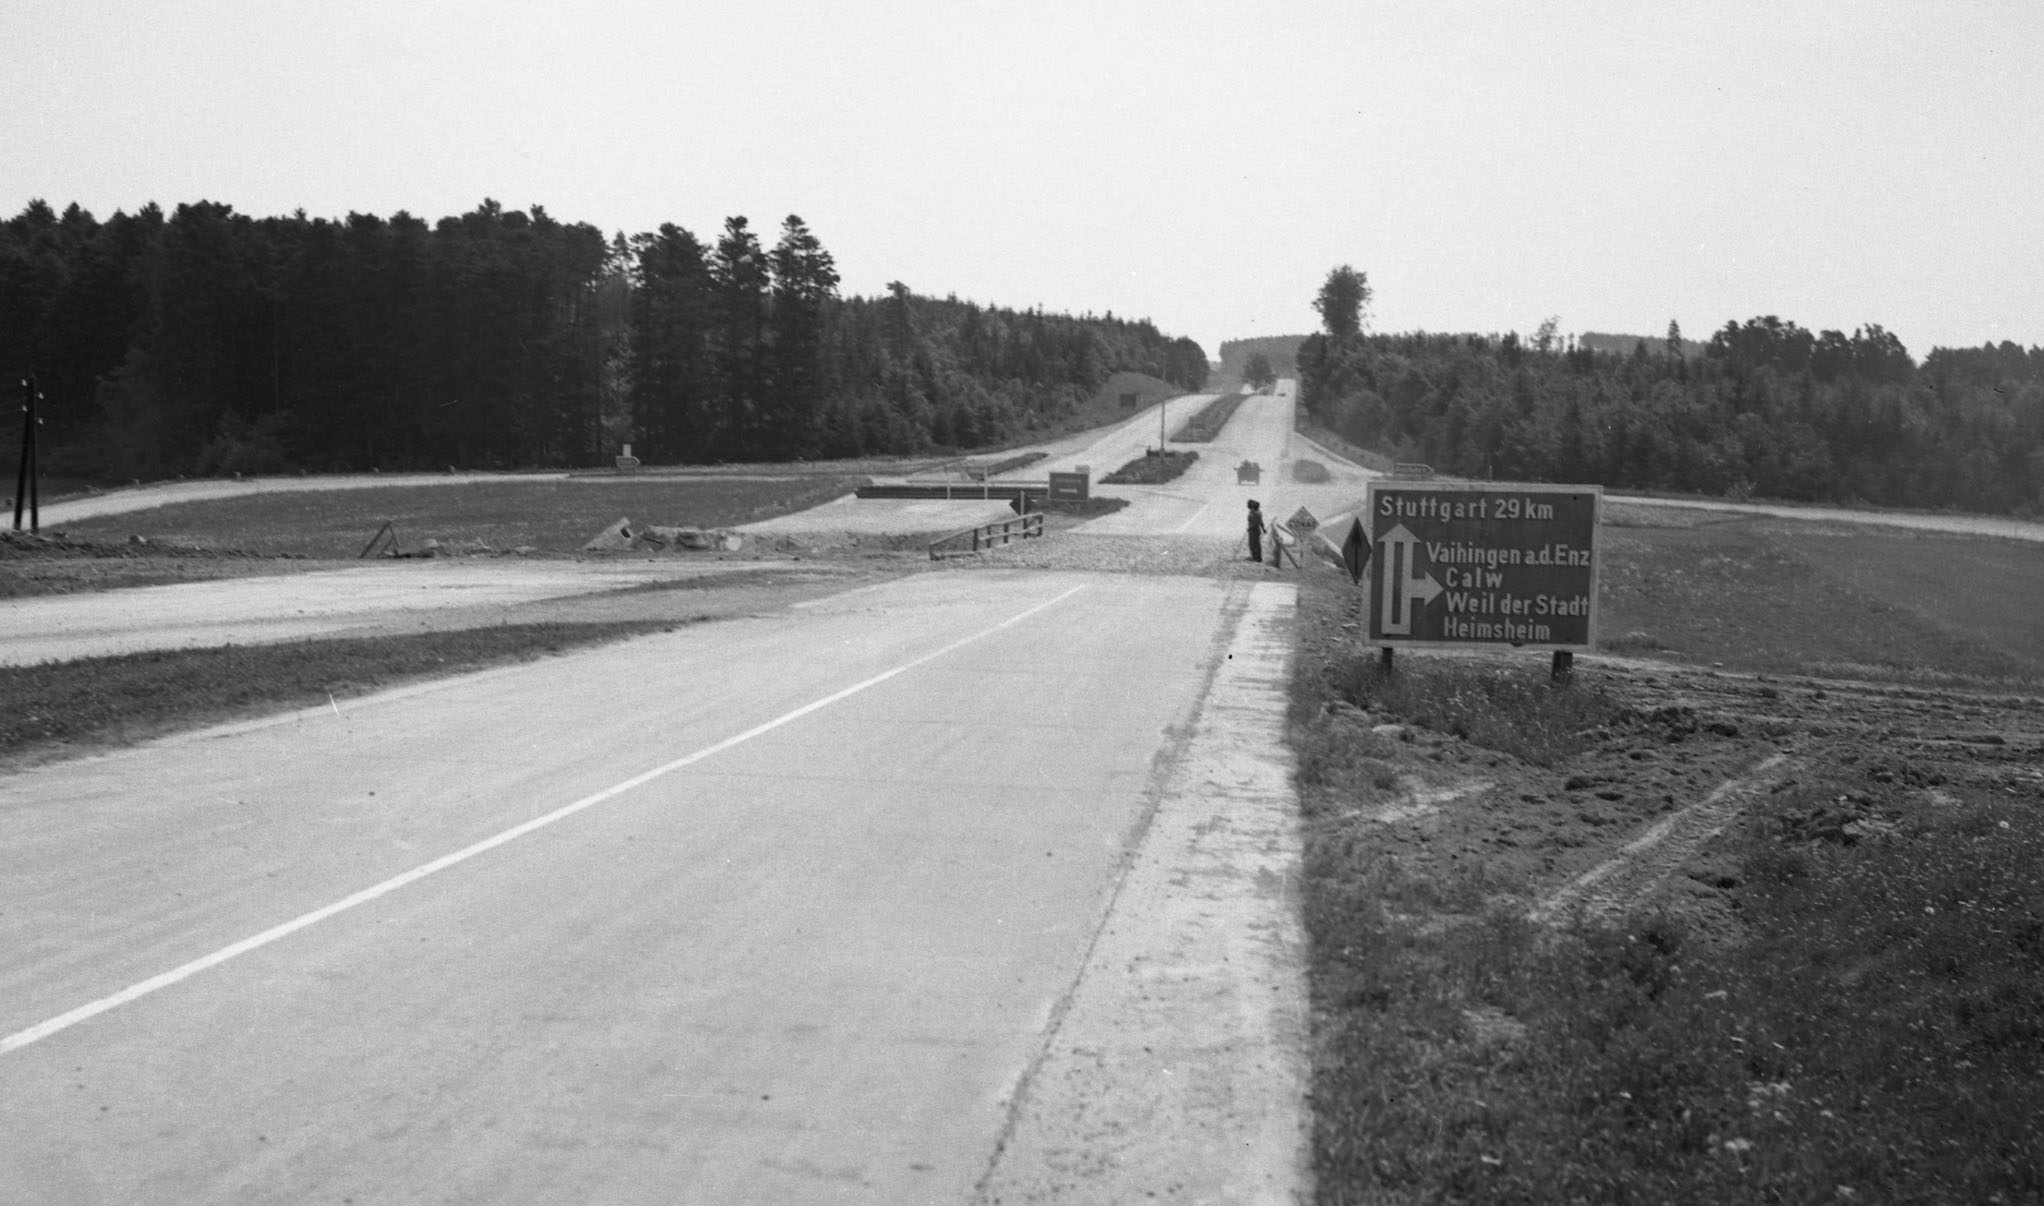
(207, 342)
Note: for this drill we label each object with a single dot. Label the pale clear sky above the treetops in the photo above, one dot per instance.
(1199, 165)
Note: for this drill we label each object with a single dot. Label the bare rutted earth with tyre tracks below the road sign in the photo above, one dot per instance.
(1636, 821)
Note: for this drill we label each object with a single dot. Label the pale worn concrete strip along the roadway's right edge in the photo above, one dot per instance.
(1178, 1068)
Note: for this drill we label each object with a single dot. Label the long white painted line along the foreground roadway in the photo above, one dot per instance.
(179, 974)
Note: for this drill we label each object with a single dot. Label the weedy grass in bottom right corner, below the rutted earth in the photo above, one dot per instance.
(1857, 1048)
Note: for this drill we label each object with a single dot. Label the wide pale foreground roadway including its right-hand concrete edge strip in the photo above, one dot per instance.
(958, 888)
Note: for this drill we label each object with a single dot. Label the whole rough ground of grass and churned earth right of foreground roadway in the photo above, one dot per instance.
(1673, 933)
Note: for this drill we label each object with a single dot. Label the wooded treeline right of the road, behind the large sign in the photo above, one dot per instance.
(1769, 410)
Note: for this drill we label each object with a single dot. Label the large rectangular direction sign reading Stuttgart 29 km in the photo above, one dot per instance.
(1483, 565)
